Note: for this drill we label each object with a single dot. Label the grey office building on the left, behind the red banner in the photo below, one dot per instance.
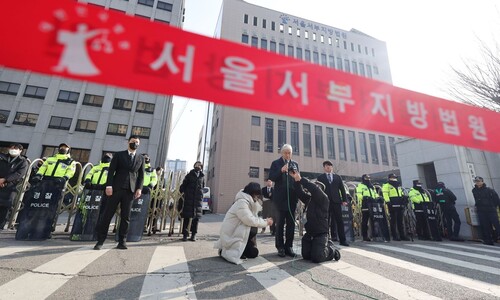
(42, 111)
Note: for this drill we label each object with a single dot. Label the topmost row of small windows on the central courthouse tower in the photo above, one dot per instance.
(313, 36)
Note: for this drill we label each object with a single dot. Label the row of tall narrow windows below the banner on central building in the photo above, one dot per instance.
(307, 150)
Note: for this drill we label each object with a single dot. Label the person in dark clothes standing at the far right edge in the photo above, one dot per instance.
(487, 202)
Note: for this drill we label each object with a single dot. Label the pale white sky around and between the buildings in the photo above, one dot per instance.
(424, 38)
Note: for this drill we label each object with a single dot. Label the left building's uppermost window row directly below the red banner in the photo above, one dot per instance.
(72, 97)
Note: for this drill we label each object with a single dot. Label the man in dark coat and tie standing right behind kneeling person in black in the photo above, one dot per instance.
(334, 188)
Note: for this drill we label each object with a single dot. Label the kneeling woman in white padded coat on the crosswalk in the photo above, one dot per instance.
(239, 228)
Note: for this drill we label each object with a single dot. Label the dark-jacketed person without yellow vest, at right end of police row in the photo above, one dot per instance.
(446, 200)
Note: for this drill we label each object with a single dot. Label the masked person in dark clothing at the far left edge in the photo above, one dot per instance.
(13, 168)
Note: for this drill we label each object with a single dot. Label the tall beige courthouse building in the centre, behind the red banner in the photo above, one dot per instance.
(243, 143)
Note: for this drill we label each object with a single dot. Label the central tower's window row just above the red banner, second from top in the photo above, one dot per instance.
(313, 56)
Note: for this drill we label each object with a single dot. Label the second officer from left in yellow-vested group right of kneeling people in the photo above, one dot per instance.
(394, 198)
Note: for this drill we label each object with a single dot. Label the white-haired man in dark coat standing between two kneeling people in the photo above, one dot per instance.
(285, 200)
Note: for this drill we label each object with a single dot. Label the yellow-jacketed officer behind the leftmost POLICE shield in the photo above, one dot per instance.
(59, 168)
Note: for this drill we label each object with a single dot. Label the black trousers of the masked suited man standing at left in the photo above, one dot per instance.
(124, 198)
